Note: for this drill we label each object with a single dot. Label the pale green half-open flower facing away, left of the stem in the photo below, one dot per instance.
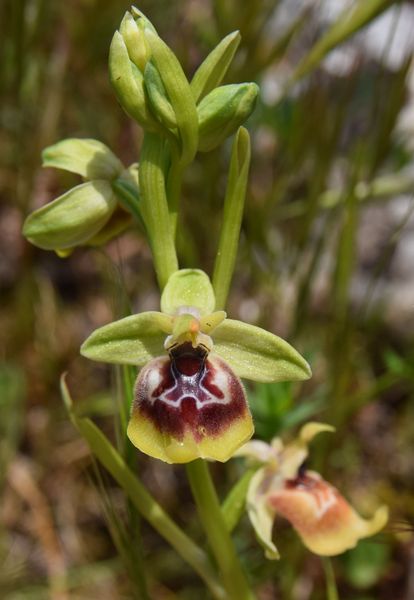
(89, 213)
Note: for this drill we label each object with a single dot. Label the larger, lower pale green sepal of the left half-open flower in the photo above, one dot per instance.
(73, 218)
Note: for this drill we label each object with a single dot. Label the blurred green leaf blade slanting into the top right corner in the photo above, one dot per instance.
(349, 22)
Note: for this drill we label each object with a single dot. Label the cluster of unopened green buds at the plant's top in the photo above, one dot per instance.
(153, 89)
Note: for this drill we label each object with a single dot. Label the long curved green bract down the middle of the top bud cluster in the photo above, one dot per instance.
(179, 93)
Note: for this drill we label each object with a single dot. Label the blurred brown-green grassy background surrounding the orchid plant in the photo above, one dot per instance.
(326, 260)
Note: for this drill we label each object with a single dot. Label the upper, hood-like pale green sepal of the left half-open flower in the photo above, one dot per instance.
(90, 158)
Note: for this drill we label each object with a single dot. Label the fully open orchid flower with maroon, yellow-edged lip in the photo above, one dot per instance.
(189, 400)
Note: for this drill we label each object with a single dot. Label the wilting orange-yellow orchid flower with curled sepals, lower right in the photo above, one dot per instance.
(324, 520)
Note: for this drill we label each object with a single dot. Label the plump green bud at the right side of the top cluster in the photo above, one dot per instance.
(222, 111)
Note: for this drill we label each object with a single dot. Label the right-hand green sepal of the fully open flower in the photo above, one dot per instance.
(256, 354)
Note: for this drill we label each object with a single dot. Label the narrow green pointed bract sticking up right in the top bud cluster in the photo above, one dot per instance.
(212, 70)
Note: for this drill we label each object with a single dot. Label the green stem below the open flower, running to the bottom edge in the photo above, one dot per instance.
(216, 530)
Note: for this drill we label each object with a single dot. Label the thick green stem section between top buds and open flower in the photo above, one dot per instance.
(154, 207)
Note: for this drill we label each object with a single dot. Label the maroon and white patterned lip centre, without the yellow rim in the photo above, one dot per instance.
(190, 391)
